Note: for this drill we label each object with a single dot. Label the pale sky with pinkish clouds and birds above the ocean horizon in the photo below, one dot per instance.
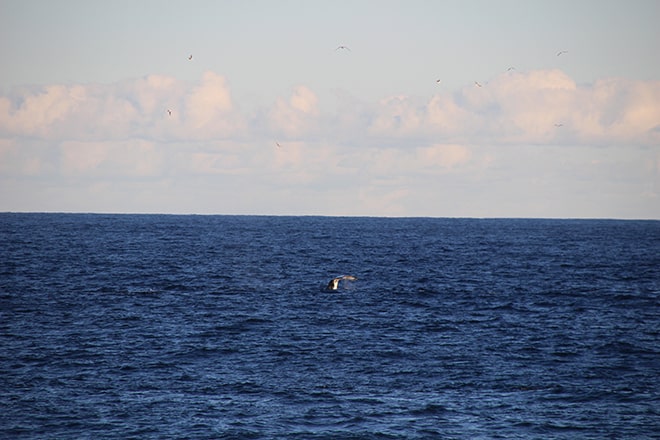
(435, 108)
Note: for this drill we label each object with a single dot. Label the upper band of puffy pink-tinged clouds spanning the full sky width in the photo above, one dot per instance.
(536, 107)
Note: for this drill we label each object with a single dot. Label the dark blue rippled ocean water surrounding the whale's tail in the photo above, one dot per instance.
(206, 327)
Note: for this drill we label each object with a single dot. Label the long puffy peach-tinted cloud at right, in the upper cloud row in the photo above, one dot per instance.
(537, 107)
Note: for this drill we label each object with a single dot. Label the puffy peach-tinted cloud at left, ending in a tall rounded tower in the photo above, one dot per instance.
(132, 108)
